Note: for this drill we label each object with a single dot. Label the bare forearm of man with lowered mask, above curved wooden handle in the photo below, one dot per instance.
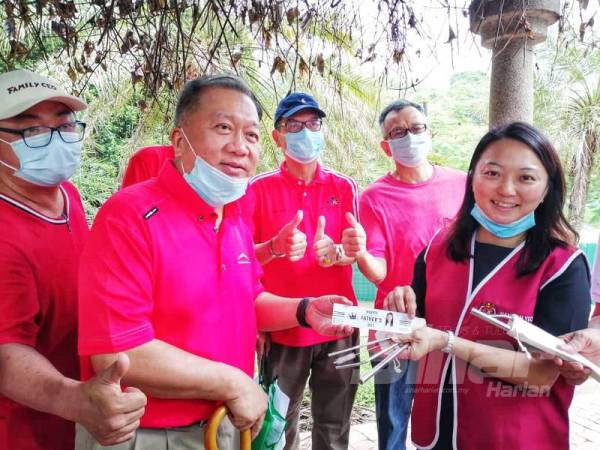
(164, 371)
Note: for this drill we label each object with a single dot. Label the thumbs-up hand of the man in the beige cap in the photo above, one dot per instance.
(108, 413)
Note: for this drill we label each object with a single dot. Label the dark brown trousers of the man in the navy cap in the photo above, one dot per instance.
(332, 391)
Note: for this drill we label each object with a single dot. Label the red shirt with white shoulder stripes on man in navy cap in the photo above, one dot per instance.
(278, 196)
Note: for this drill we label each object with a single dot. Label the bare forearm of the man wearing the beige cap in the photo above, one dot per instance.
(28, 378)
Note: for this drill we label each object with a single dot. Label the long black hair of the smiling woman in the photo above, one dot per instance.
(551, 227)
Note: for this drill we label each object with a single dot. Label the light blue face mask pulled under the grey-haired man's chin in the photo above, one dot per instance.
(213, 186)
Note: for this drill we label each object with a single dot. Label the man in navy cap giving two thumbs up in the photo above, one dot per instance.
(299, 215)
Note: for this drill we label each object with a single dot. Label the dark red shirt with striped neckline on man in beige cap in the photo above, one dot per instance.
(39, 262)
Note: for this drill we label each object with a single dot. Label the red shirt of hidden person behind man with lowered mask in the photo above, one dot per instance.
(146, 163)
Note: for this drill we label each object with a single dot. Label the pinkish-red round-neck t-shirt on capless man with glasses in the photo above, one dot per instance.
(401, 218)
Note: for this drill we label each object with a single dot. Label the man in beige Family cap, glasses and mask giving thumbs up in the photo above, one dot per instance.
(43, 229)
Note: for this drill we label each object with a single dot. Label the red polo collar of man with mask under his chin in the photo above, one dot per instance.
(173, 182)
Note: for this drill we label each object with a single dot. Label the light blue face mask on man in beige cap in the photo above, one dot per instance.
(49, 165)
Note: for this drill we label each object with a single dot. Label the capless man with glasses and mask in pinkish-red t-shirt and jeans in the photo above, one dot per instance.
(400, 213)
